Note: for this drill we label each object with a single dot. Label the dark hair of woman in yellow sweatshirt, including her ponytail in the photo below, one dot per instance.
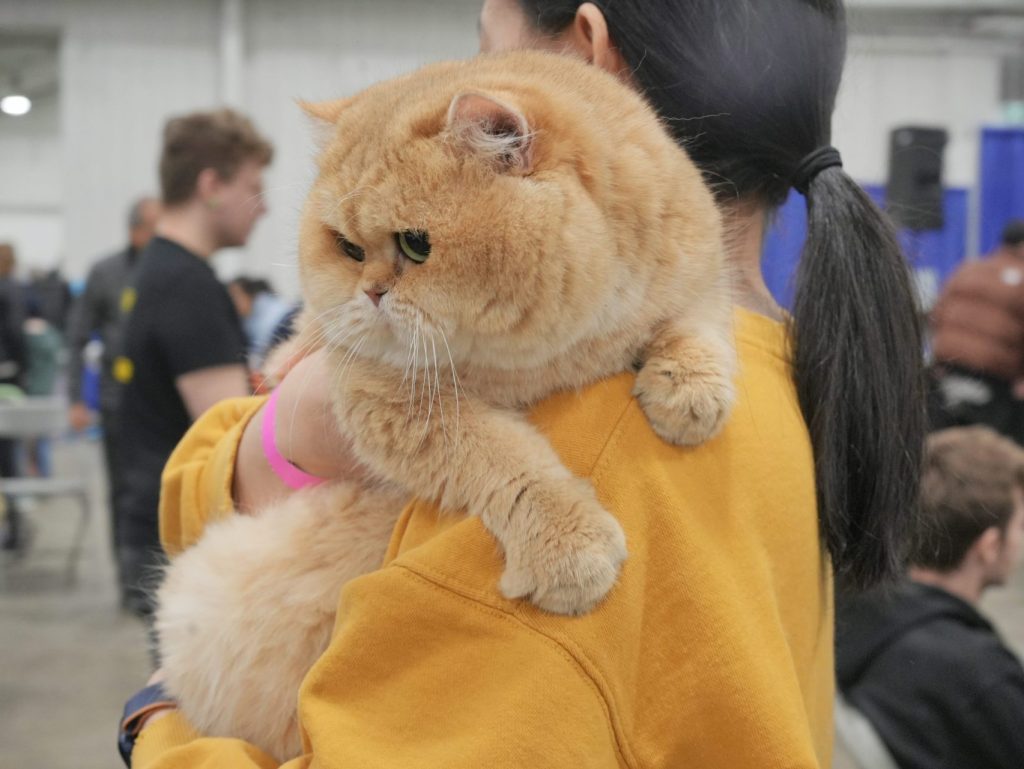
(748, 88)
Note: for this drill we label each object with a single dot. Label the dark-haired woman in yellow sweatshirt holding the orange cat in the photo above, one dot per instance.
(715, 649)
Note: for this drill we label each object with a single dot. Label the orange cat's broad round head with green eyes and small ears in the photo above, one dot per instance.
(471, 222)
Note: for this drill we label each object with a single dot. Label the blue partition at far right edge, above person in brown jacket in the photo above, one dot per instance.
(1002, 183)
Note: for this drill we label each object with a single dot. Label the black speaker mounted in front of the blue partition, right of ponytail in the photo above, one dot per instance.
(915, 195)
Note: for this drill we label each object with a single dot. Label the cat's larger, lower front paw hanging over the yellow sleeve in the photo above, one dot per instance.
(571, 559)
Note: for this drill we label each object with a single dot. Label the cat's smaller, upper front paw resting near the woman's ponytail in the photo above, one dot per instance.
(687, 402)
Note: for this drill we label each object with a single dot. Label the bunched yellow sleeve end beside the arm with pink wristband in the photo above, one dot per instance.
(196, 487)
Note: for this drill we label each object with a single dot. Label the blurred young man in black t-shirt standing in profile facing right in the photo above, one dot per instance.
(184, 346)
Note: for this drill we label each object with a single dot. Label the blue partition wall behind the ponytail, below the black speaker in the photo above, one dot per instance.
(934, 255)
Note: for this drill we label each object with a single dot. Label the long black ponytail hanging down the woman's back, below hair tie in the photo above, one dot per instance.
(857, 338)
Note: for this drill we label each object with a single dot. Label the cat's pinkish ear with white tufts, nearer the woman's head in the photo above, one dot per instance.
(493, 130)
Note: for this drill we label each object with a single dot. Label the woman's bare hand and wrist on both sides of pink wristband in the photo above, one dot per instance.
(307, 435)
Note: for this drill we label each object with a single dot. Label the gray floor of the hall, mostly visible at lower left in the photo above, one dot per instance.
(70, 658)
